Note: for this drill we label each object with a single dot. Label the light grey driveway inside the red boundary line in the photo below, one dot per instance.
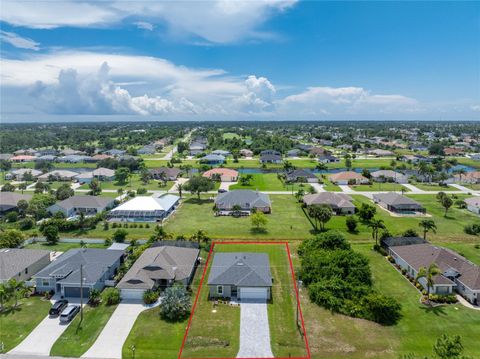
(254, 330)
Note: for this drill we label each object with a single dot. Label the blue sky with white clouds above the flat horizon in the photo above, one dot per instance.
(239, 60)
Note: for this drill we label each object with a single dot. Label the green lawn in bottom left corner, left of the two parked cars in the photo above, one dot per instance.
(17, 323)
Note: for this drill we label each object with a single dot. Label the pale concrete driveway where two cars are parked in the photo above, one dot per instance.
(40, 341)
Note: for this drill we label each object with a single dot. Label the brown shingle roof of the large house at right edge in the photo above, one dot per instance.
(422, 255)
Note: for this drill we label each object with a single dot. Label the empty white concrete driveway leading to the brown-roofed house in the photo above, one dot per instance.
(110, 342)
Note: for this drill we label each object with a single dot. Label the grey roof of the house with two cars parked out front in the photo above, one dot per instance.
(95, 263)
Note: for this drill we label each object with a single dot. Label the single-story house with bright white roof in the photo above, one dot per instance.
(145, 209)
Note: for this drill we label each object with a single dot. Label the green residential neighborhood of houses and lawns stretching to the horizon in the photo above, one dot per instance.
(147, 237)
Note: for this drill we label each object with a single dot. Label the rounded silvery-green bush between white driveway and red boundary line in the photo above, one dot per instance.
(176, 303)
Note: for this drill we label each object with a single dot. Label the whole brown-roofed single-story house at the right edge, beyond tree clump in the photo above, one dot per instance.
(457, 273)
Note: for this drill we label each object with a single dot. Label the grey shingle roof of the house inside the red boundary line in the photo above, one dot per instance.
(241, 269)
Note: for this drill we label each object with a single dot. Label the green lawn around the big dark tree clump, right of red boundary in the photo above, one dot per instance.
(336, 336)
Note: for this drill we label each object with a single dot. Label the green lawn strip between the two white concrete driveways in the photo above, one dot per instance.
(77, 339)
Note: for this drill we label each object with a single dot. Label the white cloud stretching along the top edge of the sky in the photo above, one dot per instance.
(216, 21)
